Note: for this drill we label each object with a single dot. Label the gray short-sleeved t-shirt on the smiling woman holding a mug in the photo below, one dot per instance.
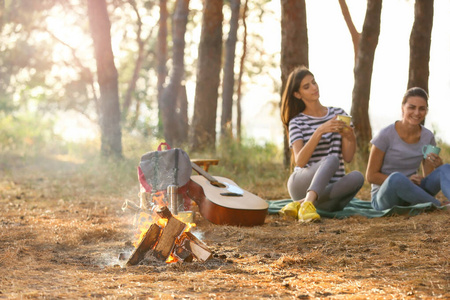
(400, 156)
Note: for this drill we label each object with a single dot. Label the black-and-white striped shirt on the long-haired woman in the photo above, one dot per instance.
(302, 127)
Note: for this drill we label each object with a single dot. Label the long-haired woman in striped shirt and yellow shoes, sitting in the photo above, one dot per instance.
(320, 145)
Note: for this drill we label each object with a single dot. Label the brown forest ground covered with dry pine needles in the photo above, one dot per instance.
(63, 241)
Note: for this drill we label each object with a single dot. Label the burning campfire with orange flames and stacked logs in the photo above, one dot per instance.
(164, 232)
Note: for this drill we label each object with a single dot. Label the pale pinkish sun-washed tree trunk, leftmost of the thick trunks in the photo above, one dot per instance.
(111, 135)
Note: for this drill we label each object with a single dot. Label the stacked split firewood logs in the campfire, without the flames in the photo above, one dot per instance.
(169, 241)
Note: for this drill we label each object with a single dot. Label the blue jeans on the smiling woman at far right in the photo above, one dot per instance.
(399, 190)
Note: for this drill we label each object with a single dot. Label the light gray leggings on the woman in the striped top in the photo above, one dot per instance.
(331, 196)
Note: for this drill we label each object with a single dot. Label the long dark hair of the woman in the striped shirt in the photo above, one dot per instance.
(290, 105)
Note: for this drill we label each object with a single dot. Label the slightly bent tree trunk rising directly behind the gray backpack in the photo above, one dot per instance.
(169, 97)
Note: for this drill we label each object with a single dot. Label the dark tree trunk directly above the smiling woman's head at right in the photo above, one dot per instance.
(419, 44)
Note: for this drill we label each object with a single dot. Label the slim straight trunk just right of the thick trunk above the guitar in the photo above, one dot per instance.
(228, 71)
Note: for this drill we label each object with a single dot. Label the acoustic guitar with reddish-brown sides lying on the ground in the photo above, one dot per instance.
(223, 202)
